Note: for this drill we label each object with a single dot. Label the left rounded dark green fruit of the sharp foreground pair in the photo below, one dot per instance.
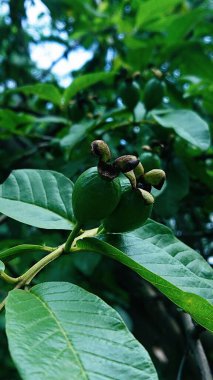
(94, 198)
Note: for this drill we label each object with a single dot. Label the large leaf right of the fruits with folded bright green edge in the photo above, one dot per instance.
(171, 266)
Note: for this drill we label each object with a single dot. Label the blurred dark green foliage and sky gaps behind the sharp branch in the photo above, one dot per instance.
(67, 70)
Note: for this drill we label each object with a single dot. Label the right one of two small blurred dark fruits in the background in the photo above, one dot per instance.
(153, 93)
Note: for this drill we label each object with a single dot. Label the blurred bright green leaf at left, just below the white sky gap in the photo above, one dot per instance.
(44, 91)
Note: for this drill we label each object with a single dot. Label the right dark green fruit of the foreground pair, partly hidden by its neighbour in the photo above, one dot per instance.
(131, 212)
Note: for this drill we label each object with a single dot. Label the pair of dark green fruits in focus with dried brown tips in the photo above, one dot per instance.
(102, 196)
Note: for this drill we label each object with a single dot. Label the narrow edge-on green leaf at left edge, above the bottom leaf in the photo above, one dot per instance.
(11, 253)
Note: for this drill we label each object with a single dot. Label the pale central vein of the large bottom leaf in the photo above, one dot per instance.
(63, 333)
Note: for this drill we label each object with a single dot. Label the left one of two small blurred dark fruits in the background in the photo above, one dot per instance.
(129, 92)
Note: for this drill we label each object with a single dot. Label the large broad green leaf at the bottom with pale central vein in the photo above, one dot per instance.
(72, 334)
